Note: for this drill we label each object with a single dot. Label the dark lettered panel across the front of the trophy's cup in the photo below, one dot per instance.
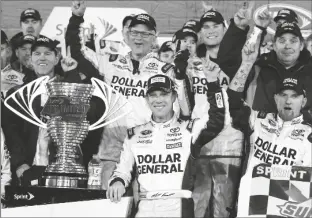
(66, 108)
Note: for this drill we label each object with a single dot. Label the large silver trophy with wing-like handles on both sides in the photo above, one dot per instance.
(64, 114)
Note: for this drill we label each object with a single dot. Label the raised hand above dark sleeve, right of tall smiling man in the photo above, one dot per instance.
(244, 15)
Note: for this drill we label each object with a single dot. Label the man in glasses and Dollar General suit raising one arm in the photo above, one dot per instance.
(127, 74)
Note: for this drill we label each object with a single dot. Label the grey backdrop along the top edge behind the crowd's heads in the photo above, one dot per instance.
(169, 15)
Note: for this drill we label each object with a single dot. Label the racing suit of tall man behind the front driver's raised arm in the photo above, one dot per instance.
(218, 168)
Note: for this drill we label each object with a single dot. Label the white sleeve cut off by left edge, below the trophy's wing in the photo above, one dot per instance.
(5, 164)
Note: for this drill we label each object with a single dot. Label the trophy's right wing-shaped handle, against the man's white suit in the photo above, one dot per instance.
(100, 91)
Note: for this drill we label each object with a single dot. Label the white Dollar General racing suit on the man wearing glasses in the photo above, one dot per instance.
(129, 78)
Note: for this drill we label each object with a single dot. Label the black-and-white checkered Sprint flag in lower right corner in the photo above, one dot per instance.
(280, 191)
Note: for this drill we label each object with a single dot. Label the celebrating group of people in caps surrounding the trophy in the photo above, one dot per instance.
(204, 106)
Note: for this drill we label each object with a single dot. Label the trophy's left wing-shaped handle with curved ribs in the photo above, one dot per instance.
(33, 89)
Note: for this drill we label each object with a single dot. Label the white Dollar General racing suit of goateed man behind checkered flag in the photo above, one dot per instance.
(272, 141)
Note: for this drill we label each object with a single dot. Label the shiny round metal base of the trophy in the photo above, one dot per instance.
(65, 181)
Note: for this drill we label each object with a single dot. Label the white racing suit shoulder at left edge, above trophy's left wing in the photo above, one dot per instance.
(9, 79)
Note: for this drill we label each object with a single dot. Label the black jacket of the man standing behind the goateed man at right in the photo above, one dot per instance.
(271, 72)
